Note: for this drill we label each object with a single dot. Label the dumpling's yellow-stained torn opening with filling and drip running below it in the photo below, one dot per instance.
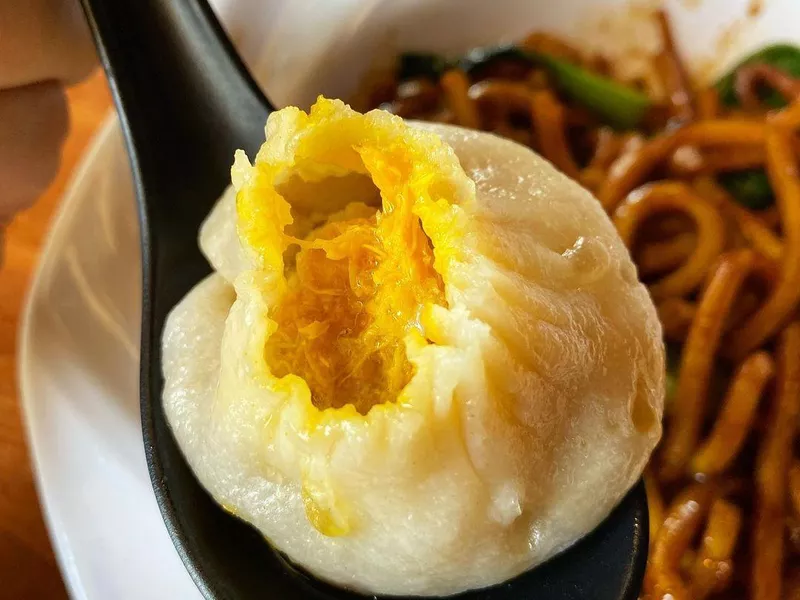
(354, 233)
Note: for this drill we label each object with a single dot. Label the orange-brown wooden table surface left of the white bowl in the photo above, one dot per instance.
(28, 569)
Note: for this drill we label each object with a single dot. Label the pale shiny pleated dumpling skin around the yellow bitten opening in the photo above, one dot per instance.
(543, 395)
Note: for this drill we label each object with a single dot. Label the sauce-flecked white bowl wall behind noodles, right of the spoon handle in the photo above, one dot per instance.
(299, 49)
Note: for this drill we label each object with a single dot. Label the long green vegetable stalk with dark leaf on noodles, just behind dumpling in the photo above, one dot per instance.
(618, 105)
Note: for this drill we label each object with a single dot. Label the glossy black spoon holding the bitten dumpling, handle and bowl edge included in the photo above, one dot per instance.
(186, 102)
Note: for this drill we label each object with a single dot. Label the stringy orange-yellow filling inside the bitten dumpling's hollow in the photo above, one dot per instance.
(358, 288)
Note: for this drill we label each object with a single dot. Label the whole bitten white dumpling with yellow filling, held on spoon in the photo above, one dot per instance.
(424, 363)
